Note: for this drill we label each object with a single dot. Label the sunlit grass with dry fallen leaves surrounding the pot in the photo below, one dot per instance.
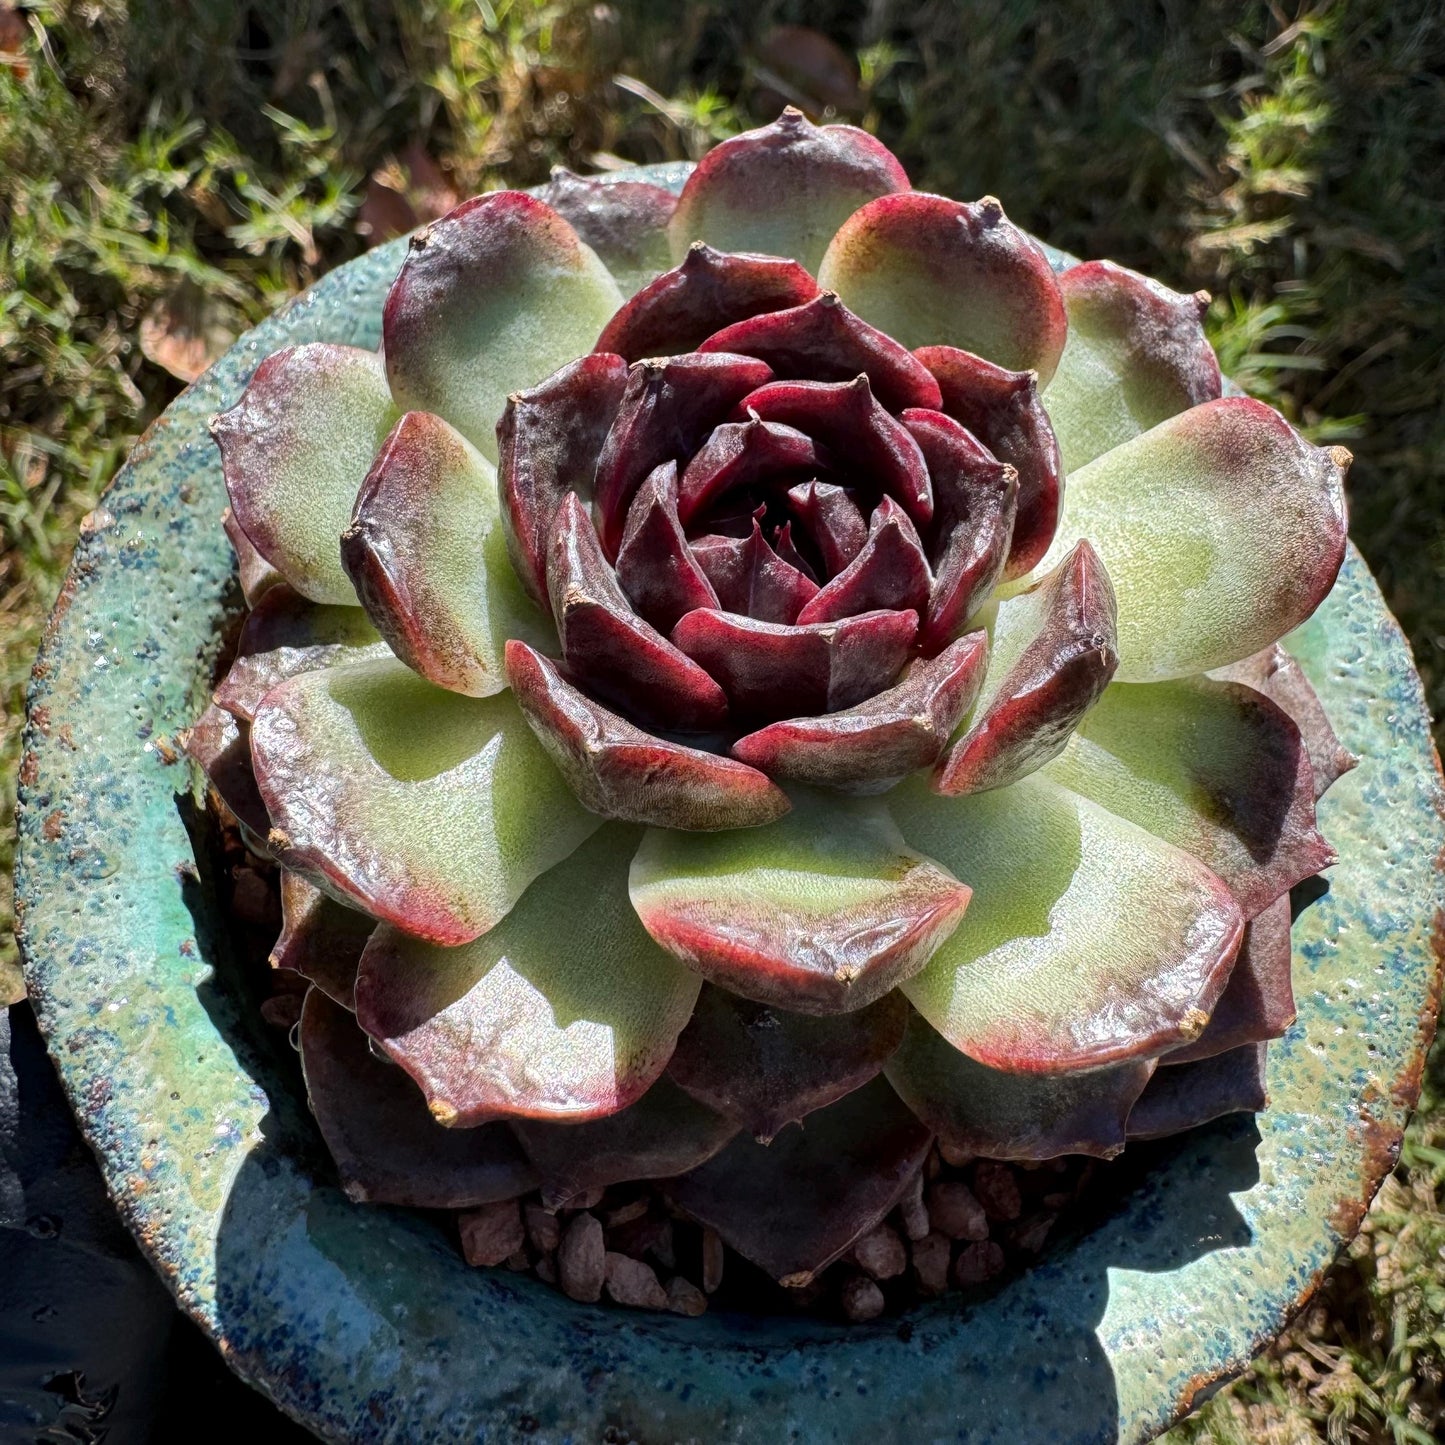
(204, 163)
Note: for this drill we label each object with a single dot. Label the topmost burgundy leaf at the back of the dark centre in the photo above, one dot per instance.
(684, 307)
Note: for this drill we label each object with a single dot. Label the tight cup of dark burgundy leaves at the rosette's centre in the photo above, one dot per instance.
(780, 482)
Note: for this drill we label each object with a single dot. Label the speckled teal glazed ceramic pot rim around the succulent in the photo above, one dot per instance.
(366, 1326)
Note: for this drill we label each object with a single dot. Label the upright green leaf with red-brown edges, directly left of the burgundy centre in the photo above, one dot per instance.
(430, 563)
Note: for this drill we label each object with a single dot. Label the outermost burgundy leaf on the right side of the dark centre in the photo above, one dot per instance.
(1004, 411)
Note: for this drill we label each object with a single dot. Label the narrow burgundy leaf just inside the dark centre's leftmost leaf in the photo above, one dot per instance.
(668, 408)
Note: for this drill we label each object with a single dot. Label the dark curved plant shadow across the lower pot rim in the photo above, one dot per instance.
(345, 1313)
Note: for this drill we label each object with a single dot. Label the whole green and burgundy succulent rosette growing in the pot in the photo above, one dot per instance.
(775, 652)
